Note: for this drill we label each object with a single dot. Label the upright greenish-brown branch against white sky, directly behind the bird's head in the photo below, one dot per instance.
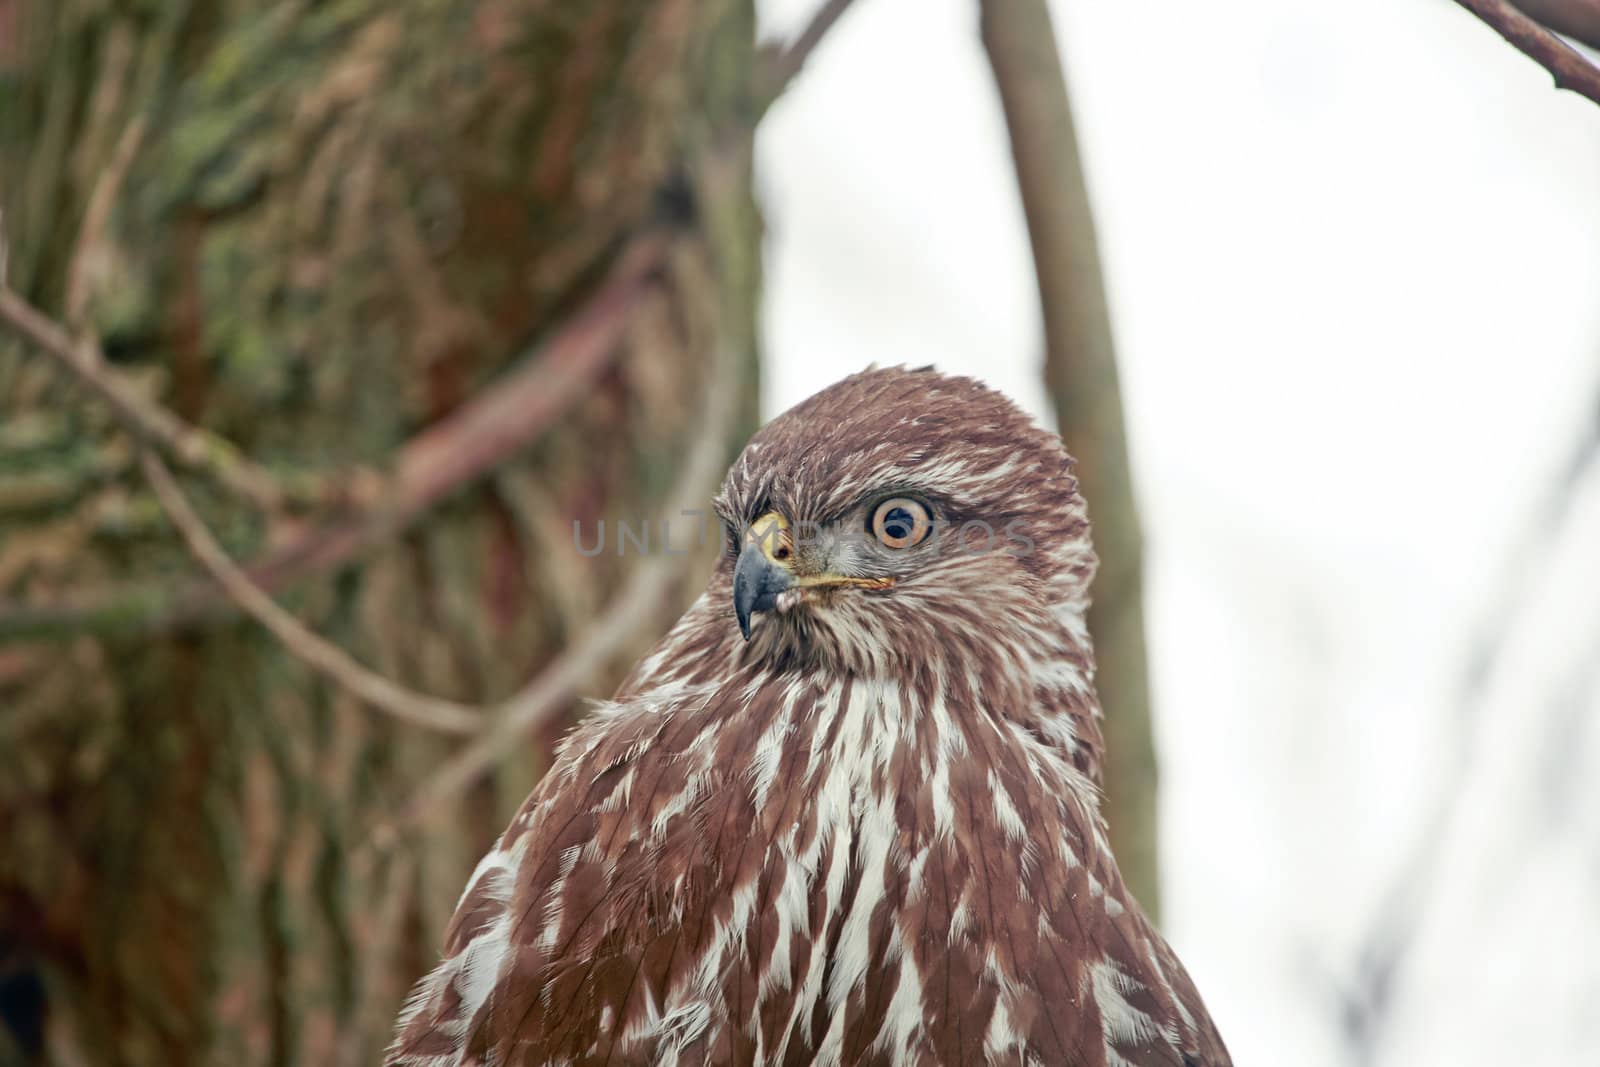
(1081, 374)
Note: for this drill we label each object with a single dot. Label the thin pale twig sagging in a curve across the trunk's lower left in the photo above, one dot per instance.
(297, 639)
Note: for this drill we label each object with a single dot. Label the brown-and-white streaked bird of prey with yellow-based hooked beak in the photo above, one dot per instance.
(847, 812)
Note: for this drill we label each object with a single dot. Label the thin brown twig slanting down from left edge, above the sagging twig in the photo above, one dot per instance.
(143, 418)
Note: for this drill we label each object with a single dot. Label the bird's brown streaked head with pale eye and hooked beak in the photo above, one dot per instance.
(900, 511)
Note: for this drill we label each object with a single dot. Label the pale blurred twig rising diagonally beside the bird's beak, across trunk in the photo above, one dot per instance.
(617, 626)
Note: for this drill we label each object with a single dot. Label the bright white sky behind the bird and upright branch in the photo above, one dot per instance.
(1354, 252)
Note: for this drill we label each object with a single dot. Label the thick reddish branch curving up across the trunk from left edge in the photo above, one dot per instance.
(486, 433)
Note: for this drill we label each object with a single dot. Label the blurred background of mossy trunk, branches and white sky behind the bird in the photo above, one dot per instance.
(402, 292)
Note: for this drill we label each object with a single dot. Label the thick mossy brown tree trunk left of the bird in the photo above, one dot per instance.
(318, 228)
